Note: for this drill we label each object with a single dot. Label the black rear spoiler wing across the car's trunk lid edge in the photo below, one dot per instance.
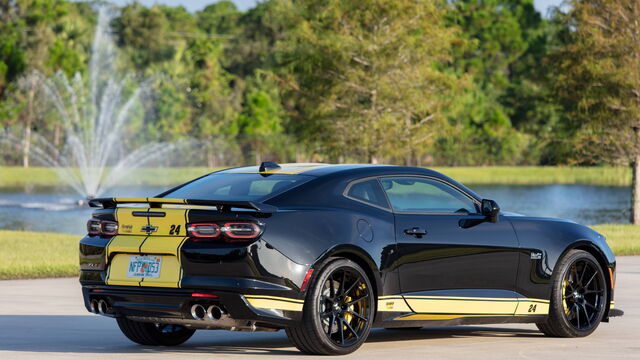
(110, 203)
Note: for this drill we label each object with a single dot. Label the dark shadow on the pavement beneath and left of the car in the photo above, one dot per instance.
(92, 334)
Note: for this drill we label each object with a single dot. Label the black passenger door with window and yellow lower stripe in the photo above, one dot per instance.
(451, 261)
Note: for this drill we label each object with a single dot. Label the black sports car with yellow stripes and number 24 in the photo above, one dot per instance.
(327, 252)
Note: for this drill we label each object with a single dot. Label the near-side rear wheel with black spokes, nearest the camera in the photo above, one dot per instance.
(338, 312)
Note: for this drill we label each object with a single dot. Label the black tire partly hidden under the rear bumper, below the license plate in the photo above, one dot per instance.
(154, 334)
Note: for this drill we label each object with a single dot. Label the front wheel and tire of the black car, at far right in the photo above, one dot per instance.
(578, 296)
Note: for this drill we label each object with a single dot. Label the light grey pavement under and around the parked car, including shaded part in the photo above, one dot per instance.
(45, 319)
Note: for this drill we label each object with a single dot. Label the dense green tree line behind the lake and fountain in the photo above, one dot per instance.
(457, 82)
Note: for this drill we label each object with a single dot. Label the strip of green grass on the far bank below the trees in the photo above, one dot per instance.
(15, 177)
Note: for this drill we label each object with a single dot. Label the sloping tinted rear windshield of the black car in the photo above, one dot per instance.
(239, 187)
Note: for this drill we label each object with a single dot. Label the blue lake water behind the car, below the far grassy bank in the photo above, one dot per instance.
(58, 211)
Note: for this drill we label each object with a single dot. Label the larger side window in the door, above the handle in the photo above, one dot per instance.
(417, 194)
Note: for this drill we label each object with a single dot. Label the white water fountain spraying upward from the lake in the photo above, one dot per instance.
(94, 115)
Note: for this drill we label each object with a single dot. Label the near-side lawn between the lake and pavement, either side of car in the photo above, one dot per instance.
(27, 255)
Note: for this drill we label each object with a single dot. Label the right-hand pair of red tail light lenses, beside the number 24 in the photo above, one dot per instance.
(230, 232)
